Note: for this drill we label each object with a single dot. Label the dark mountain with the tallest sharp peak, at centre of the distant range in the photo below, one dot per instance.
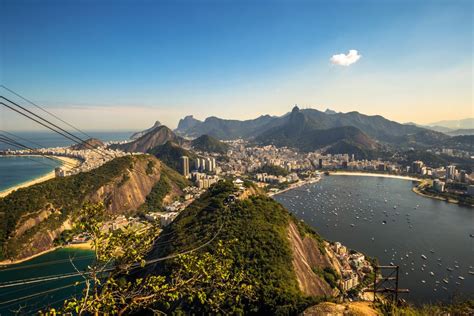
(301, 131)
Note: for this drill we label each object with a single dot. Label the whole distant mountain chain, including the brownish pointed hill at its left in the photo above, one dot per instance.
(365, 136)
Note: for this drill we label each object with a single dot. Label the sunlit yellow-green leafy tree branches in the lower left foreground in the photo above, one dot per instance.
(210, 283)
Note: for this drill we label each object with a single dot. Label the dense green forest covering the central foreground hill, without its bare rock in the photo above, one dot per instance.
(256, 231)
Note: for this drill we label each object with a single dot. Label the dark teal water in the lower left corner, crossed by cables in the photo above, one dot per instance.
(53, 263)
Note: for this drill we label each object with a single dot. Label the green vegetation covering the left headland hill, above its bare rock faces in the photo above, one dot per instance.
(63, 197)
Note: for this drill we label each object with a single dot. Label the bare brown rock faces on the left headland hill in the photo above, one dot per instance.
(124, 191)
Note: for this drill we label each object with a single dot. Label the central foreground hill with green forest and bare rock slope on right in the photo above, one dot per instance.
(280, 255)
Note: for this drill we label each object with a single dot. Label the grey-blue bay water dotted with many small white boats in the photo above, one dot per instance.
(383, 218)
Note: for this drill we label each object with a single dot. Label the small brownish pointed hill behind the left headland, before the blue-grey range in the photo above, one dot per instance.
(157, 136)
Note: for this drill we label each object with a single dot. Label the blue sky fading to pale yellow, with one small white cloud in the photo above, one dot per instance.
(122, 65)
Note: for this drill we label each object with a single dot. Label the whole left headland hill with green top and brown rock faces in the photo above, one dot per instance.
(32, 218)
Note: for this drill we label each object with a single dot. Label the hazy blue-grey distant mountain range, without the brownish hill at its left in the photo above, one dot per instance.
(310, 129)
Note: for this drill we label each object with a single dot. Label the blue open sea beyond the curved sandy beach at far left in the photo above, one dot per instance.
(16, 170)
